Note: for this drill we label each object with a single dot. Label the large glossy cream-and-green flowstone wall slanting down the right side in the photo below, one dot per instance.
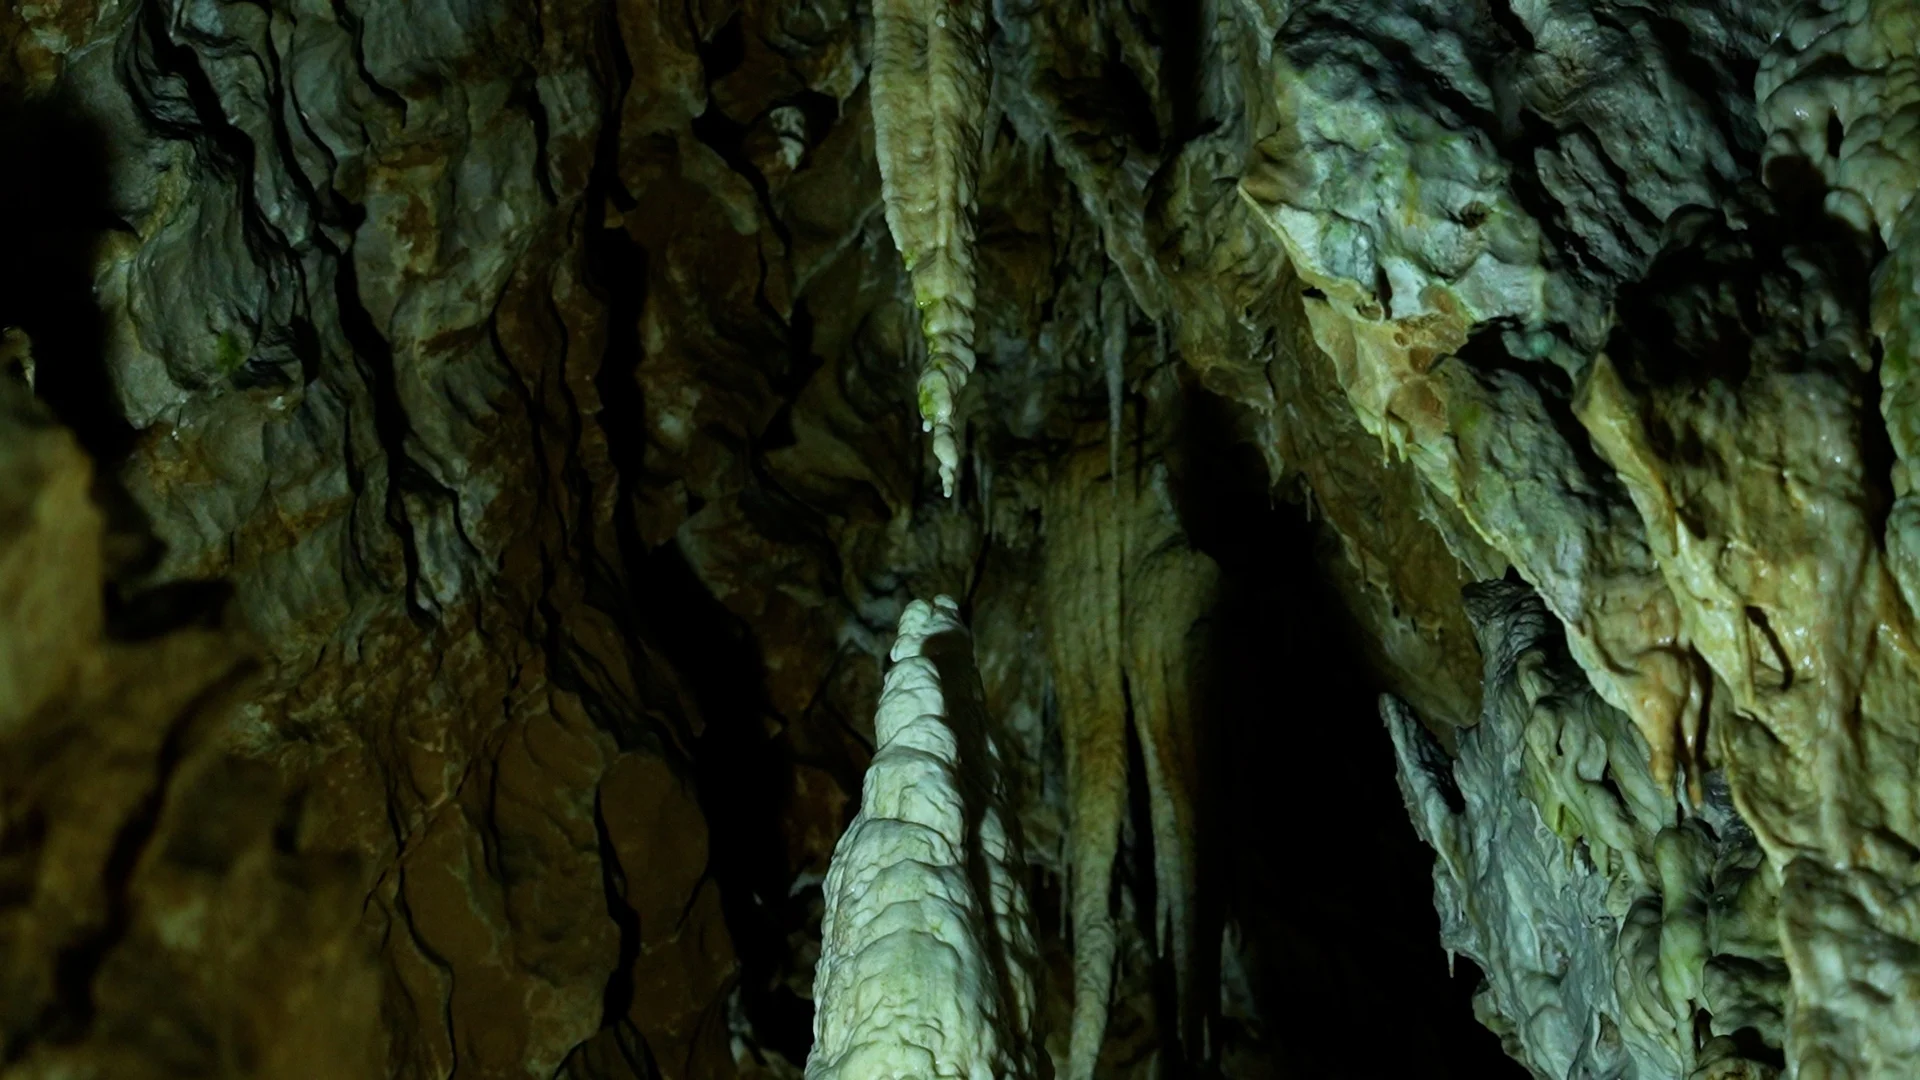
(1620, 285)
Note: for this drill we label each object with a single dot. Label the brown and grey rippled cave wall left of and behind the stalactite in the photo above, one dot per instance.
(533, 376)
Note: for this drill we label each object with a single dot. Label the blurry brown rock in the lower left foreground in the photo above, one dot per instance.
(155, 920)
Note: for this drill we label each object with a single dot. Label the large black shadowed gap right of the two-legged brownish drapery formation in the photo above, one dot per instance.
(1316, 860)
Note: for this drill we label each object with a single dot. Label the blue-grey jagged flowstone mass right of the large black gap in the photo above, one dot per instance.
(1618, 941)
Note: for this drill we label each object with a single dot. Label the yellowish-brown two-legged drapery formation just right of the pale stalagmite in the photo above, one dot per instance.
(1122, 597)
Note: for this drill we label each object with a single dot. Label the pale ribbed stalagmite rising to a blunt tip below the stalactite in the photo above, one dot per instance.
(926, 943)
